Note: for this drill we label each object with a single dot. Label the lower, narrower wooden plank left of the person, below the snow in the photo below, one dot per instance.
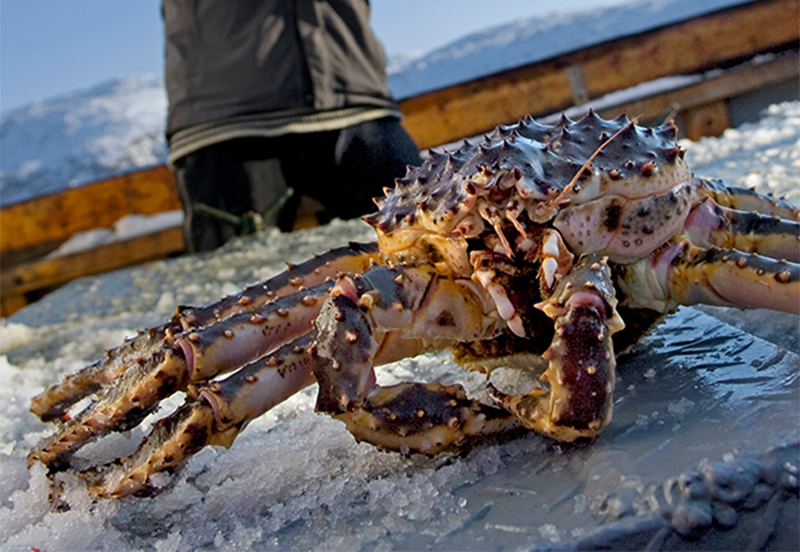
(27, 277)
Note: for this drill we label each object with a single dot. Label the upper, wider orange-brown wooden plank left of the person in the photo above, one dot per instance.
(58, 216)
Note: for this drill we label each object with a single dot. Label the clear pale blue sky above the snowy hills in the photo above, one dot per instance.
(50, 47)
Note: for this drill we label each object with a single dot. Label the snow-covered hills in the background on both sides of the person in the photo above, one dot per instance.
(118, 126)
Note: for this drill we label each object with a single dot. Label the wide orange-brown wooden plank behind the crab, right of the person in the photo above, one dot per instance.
(688, 47)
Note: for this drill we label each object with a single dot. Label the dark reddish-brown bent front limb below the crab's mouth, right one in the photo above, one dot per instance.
(581, 365)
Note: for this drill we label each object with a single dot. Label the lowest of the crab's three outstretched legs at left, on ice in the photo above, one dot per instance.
(212, 415)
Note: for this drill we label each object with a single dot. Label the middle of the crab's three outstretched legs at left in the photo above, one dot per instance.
(189, 358)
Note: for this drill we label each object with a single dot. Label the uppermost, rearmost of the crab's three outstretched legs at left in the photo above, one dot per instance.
(54, 402)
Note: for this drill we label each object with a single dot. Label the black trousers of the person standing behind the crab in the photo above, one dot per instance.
(342, 169)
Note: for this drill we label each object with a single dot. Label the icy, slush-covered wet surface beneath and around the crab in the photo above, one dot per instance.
(696, 389)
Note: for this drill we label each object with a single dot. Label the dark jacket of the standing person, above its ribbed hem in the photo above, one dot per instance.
(235, 57)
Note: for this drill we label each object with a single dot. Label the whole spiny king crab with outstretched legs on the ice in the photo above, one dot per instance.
(539, 243)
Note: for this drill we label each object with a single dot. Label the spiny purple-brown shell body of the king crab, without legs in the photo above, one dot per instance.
(608, 187)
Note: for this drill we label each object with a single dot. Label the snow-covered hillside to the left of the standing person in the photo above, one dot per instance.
(82, 137)
